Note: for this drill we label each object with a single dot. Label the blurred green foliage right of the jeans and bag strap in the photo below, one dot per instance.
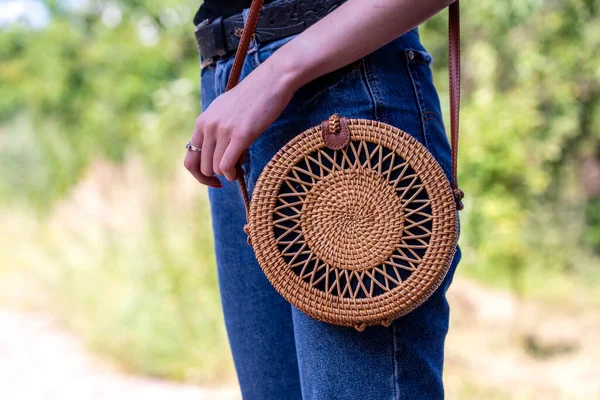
(530, 116)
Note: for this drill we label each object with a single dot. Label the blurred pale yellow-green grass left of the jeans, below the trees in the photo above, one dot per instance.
(128, 265)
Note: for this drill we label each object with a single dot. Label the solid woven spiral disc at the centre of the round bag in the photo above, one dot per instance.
(351, 219)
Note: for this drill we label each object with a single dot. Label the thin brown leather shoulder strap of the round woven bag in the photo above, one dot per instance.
(454, 77)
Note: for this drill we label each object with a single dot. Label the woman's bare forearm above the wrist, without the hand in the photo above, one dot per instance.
(350, 32)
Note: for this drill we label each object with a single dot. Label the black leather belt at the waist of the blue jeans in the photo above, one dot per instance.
(279, 19)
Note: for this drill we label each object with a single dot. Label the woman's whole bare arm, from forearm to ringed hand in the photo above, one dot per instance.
(235, 119)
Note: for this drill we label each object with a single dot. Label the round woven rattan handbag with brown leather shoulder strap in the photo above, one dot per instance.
(353, 221)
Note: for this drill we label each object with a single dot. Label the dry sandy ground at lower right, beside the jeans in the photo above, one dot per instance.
(500, 347)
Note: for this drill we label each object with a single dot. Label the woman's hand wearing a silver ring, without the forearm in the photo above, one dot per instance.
(234, 120)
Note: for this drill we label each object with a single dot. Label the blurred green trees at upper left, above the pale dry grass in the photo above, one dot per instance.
(98, 81)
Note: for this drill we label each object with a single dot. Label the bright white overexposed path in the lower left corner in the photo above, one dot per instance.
(39, 361)
